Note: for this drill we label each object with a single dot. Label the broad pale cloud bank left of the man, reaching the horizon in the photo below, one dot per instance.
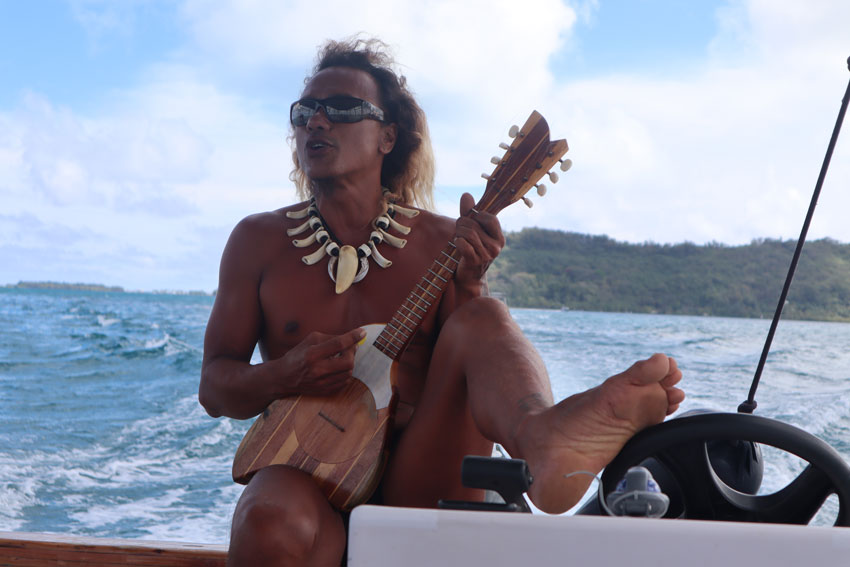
(120, 192)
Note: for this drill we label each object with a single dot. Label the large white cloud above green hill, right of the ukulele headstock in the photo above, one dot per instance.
(727, 150)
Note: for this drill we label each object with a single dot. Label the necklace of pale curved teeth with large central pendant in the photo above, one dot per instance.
(343, 263)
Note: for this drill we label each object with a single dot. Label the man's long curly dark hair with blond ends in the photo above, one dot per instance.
(408, 170)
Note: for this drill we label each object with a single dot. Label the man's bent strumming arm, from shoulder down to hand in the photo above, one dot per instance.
(230, 385)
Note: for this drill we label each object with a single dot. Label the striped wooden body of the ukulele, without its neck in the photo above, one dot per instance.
(339, 440)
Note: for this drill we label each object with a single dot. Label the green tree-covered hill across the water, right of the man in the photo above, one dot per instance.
(554, 269)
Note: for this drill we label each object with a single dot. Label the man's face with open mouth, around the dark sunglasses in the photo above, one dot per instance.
(330, 151)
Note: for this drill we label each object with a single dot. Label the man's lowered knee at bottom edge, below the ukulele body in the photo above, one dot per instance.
(282, 519)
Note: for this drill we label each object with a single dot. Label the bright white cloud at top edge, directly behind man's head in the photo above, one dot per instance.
(474, 65)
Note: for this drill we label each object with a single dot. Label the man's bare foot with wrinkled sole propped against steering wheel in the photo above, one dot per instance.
(585, 431)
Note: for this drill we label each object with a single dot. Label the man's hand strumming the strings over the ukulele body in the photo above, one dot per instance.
(320, 364)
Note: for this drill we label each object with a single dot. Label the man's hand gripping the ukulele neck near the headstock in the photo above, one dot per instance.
(479, 240)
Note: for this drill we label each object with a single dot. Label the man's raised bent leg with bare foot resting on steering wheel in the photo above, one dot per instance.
(485, 376)
